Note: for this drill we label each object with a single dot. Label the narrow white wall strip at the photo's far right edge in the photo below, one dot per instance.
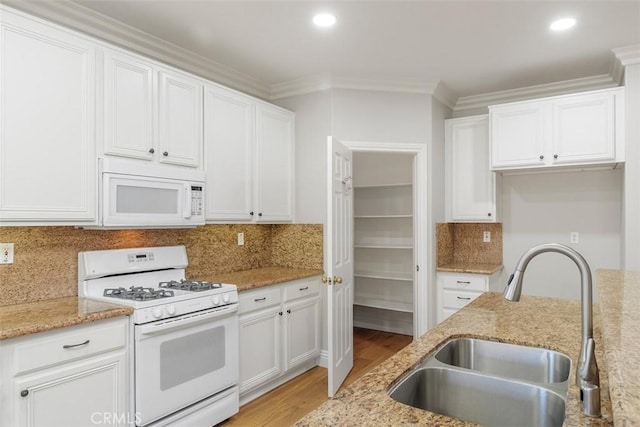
(631, 244)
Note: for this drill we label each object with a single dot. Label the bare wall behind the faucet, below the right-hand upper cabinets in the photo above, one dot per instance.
(546, 207)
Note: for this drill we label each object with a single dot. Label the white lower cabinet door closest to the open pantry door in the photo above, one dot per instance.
(302, 331)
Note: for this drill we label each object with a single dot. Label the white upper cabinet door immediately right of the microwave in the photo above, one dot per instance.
(229, 135)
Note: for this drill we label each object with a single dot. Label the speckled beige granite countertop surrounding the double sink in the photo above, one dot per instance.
(535, 321)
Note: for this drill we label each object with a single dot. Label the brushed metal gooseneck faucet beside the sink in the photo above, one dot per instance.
(587, 374)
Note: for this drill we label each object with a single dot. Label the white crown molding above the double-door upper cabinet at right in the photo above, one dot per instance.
(476, 102)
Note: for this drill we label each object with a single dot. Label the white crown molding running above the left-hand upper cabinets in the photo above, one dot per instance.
(94, 24)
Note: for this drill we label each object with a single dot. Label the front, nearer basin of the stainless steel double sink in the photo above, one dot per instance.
(480, 398)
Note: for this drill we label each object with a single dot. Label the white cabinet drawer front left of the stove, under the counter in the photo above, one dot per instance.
(63, 345)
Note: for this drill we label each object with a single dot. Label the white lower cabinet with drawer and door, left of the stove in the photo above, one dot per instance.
(75, 376)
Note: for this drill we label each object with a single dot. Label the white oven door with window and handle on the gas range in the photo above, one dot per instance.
(183, 363)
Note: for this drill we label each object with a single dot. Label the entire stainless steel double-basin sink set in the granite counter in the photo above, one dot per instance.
(489, 383)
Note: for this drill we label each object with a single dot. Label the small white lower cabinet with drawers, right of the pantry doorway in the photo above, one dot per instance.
(455, 290)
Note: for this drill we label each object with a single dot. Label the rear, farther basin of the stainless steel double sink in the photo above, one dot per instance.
(507, 360)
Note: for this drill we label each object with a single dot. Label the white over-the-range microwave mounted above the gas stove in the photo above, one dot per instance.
(134, 195)
